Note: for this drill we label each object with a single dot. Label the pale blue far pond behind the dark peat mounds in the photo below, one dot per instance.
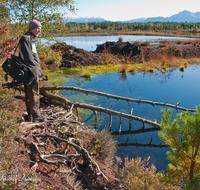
(89, 43)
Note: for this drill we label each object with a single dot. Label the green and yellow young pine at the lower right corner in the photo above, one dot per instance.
(183, 137)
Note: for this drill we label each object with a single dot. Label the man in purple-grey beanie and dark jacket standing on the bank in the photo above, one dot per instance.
(28, 53)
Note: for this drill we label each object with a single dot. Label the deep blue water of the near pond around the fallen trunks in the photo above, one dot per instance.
(169, 87)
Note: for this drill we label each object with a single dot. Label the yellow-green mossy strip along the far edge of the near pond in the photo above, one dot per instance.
(117, 67)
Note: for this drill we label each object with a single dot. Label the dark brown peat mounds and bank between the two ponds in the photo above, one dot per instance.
(123, 52)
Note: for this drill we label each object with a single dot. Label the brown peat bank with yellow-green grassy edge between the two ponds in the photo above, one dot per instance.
(127, 57)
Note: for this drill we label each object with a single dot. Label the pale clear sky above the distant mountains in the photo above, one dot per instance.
(119, 10)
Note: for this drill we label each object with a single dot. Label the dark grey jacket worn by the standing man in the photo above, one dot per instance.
(28, 53)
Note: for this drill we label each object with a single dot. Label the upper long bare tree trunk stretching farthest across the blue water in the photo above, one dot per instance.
(153, 103)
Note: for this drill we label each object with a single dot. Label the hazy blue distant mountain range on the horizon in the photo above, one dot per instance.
(184, 16)
